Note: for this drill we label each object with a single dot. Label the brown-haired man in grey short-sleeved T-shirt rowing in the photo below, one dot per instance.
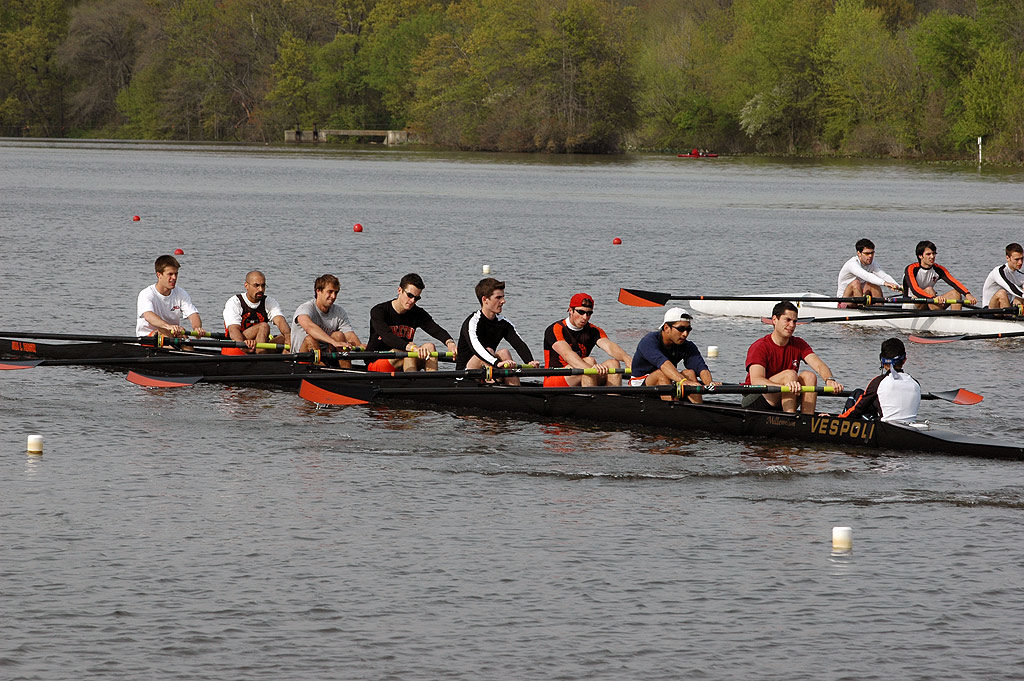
(321, 323)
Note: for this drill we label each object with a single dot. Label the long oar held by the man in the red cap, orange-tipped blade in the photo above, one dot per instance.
(482, 374)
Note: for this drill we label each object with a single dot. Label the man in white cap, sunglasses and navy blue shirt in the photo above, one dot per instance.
(660, 353)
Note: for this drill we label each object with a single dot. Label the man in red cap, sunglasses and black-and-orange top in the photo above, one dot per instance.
(569, 343)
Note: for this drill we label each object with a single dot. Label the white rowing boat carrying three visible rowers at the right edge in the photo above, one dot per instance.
(822, 310)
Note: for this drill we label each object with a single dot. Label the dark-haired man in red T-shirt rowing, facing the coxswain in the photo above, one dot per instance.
(775, 360)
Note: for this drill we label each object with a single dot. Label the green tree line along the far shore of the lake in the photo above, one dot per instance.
(899, 78)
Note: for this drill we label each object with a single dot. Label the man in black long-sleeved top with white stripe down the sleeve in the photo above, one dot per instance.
(485, 329)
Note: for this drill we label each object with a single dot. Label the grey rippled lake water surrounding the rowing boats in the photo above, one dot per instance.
(243, 534)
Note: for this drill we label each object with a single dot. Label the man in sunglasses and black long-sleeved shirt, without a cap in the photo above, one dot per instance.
(394, 323)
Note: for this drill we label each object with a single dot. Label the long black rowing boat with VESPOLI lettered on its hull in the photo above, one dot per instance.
(716, 418)
